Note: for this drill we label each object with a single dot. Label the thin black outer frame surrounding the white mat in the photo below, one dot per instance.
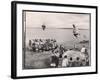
(14, 33)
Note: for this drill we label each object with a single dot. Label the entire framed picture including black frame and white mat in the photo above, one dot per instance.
(53, 39)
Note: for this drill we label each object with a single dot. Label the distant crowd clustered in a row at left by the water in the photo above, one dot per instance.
(40, 45)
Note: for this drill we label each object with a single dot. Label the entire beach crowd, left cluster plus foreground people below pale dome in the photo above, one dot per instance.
(58, 51)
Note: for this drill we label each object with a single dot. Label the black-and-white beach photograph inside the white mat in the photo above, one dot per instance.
(56, 40)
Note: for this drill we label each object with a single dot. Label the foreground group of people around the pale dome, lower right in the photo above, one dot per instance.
(72, 61)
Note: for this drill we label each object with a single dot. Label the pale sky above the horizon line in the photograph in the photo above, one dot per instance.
(57, 20)
